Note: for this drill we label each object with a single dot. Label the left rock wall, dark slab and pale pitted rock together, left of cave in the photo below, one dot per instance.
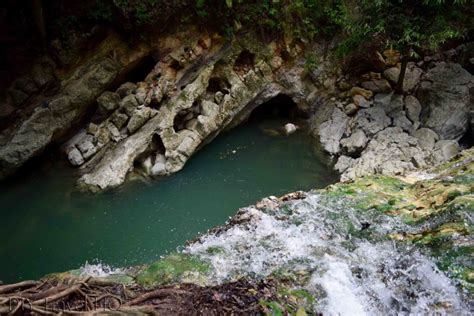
(200, 85)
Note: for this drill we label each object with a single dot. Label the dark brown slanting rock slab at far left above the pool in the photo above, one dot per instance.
(53, 116)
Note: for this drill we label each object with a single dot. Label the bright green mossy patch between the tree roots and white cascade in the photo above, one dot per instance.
(172, 268)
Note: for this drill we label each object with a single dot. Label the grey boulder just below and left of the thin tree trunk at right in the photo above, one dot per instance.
(372, 120)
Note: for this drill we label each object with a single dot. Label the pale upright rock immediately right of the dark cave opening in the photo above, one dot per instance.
(332, 130)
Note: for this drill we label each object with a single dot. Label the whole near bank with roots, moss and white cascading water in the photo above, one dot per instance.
(374, 245)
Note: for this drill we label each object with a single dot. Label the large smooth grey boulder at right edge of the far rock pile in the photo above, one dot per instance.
(445, 93)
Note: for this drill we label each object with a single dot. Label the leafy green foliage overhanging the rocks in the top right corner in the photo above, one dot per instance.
(409, 26)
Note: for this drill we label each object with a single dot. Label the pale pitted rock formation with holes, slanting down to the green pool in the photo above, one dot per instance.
(186, 100)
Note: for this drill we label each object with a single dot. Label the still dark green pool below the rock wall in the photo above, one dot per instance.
(46, 226)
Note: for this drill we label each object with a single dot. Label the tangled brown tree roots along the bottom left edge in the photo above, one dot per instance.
(93, 295)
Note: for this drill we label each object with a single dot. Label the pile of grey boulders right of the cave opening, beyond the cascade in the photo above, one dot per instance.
(373, 130)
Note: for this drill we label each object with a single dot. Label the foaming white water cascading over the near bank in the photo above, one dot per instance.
(352, 267)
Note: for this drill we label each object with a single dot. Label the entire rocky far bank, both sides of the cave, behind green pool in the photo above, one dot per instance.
(170, 94)
